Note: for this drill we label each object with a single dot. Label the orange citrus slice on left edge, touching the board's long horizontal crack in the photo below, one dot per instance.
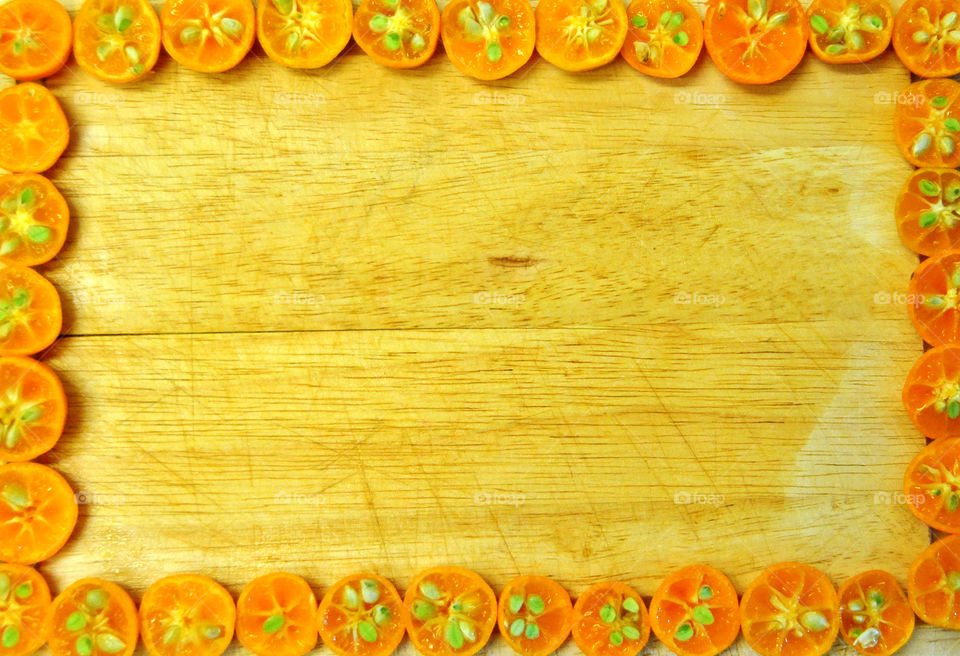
(30, 314)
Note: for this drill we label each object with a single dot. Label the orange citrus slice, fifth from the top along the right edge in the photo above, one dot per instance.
(931, 394)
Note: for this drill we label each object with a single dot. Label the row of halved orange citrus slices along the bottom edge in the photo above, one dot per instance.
(791, 609)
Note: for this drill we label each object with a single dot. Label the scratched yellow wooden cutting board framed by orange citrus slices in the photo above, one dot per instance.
(585, 326)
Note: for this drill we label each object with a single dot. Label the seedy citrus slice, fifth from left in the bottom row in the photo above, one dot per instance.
(361, 615)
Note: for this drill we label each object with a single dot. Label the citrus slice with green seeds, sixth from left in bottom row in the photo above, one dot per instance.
(450, 611)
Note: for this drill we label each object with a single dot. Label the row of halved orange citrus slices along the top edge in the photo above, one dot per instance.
(751, 41)
